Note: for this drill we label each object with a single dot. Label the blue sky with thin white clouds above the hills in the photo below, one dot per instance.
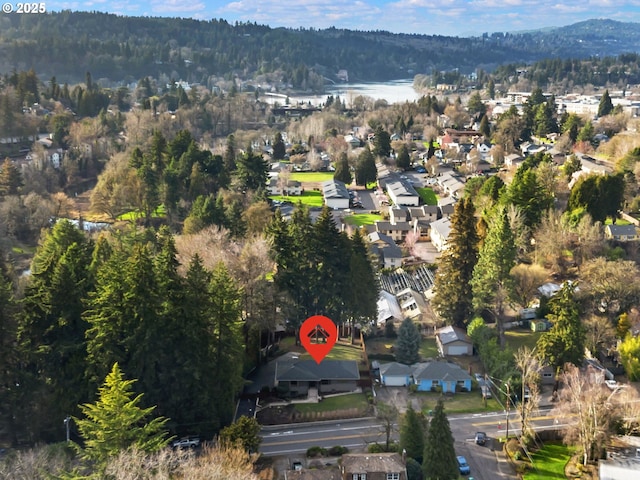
(431, 17)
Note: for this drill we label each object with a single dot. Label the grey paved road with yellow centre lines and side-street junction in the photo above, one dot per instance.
(485, 461)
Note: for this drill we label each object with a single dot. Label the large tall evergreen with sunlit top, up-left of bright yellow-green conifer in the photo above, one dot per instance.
(52, 330)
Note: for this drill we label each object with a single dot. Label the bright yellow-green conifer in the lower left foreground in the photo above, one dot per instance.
(116, 422)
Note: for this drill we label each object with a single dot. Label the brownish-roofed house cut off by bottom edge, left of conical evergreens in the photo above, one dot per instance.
(373, 466)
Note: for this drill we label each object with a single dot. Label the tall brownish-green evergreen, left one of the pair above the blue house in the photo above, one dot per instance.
(453, 294)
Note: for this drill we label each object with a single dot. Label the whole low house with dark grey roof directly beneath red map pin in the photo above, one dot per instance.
(328, 376)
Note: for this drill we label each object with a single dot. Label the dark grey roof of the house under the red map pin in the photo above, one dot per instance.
(309, 370)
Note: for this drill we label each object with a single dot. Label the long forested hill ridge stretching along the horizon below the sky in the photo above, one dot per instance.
(124, 49)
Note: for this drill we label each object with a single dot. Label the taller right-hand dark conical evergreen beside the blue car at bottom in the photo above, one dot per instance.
(439, 459)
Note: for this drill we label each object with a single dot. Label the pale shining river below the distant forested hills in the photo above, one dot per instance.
(396, 91)
